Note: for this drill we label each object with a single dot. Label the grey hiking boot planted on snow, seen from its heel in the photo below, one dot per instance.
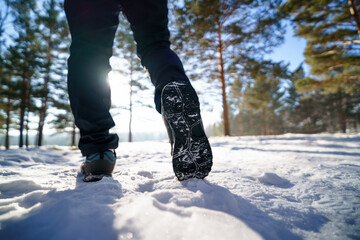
(98, 165)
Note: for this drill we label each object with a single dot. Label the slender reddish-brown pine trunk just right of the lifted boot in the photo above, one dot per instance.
(223, 88)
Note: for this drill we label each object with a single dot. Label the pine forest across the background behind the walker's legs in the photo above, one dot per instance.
(223, 44)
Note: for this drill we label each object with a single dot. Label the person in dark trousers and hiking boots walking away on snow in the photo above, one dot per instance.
(93, 25)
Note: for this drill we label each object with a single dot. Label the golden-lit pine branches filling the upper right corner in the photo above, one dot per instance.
(331, 29)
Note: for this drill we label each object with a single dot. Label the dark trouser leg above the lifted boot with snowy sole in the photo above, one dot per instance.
(149, 23)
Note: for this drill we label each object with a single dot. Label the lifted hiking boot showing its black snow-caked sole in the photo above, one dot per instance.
(190, 148)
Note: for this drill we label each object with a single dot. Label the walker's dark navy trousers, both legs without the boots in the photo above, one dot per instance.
(93, 24)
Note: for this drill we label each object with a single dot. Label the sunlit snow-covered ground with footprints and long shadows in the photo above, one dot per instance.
(275, 187)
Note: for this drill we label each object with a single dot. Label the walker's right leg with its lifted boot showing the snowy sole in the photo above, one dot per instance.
(175, 98)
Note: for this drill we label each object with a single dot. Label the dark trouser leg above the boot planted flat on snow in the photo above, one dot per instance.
(92, 25)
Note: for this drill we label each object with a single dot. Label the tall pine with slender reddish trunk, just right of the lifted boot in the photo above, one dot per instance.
(223, 35)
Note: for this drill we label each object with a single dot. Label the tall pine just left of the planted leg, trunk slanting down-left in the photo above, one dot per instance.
(54, 34)
